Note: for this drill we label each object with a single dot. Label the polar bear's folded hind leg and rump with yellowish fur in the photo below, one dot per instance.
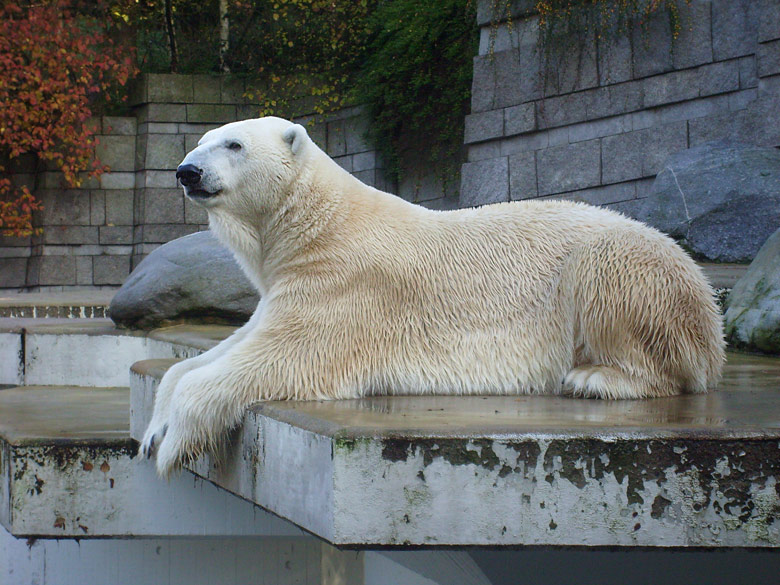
(645, 319)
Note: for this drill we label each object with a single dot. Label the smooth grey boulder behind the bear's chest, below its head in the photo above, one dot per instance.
(191, 278)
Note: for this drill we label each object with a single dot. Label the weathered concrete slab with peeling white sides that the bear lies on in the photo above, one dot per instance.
(689, 471)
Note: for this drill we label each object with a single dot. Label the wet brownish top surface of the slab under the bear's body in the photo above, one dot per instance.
(747, 403)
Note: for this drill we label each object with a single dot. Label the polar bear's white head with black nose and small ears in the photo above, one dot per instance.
(245, 167)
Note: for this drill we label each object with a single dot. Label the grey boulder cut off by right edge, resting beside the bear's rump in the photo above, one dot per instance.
(753, 315)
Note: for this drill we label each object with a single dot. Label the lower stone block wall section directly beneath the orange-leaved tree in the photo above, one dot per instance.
(87, 235)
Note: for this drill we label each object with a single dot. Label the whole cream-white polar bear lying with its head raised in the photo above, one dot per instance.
(363, 293)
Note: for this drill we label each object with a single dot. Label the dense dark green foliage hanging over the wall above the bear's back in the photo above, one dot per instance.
(416, 80)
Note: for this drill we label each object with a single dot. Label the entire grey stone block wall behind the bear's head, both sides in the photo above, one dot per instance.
(94, 235)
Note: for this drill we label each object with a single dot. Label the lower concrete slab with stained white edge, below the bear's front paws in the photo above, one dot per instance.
(68, 468)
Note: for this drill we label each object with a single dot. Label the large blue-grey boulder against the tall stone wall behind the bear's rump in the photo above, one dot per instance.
(720, 200)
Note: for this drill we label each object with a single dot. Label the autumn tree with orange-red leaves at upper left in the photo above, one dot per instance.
(55, 63)
